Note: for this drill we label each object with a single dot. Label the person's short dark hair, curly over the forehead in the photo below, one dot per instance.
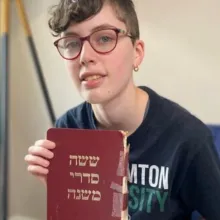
(68, 12)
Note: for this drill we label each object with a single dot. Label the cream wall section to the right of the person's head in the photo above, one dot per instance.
(183, 53)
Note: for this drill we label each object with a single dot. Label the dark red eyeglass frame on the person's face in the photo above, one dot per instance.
(87, 38)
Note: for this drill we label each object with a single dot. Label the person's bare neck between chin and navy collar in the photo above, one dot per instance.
(124, 112)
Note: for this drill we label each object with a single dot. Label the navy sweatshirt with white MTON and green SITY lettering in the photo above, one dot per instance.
(174, 167)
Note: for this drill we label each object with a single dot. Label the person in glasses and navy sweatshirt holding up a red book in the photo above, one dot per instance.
(174, 168)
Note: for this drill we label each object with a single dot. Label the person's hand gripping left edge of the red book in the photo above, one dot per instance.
(38, 159)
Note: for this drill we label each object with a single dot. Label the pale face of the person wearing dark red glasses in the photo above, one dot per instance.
(114, 68)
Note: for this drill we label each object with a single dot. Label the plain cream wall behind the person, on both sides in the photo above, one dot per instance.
(182, 63)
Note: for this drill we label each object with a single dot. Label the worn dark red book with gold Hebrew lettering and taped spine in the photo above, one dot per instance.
(87, 177)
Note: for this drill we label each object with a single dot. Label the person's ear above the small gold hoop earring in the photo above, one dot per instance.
(139, 51)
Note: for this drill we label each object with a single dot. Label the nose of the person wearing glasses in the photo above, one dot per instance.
(87, 54)
